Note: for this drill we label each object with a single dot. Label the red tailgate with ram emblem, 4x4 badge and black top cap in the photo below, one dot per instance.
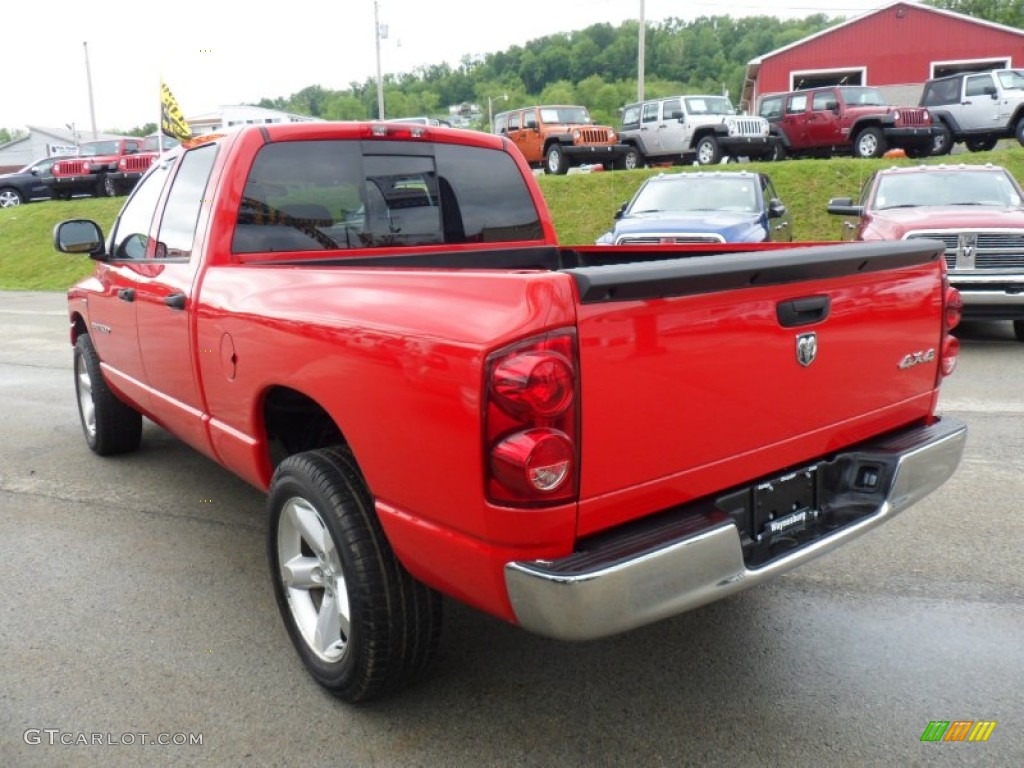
(700, 374)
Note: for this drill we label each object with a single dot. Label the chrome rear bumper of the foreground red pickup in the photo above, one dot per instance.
(621, 584)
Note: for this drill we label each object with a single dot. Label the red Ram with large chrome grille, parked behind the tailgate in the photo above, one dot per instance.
(977, 212)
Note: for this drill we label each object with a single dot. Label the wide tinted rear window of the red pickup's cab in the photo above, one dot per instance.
(314, 196)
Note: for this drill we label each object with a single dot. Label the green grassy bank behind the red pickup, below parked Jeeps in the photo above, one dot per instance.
(582, 207)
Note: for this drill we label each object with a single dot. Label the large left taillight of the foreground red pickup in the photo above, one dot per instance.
(531, 415)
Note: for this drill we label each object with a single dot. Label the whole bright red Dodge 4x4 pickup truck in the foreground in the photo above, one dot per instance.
(376, 324)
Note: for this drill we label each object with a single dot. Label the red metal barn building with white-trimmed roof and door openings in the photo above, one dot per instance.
(895, 49)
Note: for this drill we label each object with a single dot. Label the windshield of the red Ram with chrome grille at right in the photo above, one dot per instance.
(941, 189)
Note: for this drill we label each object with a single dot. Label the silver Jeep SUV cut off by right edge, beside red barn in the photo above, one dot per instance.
(976, 108)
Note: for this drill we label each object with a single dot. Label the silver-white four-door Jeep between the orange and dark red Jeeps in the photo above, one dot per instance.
(680, 129)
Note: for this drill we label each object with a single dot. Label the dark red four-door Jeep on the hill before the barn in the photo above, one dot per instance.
(837, 119)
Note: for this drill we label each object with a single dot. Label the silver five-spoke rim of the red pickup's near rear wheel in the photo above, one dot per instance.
(314, 580)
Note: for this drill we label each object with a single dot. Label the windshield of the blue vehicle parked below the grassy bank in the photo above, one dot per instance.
(694, 194)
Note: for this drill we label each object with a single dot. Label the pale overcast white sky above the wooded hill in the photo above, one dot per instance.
(229, 54)
